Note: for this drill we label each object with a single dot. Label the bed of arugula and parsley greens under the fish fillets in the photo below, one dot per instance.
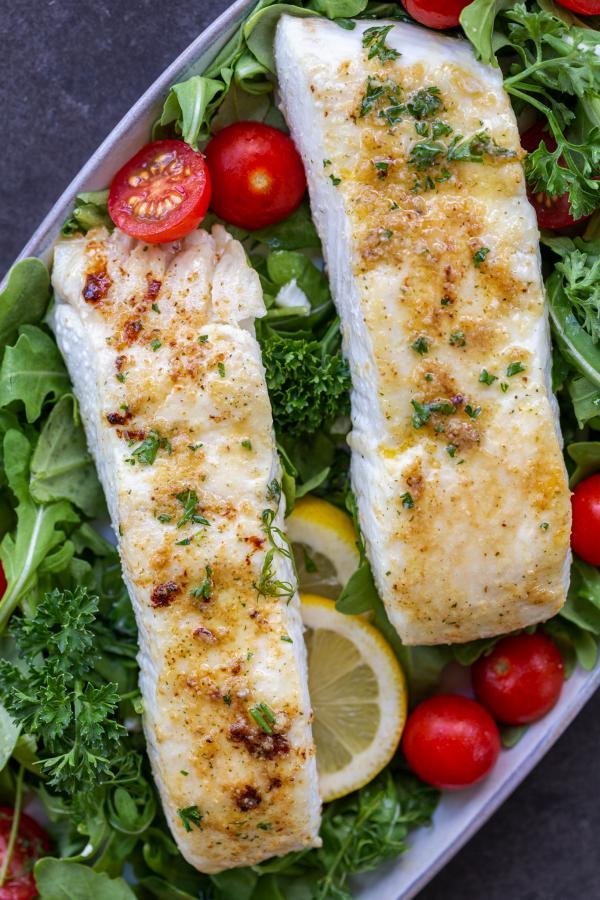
(70, 730)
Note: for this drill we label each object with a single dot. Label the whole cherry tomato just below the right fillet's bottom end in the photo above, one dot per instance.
(521, 679)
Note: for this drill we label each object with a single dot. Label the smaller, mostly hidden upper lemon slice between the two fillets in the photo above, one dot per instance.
(324, 543)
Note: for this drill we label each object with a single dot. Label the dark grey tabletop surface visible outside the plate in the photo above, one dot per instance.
(68, 72)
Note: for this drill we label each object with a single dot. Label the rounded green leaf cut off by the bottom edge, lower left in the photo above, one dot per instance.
(59, 879)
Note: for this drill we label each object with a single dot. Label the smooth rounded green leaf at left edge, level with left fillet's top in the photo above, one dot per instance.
(24, 299)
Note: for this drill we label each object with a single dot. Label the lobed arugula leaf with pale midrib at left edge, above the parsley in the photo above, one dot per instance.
(37, 539)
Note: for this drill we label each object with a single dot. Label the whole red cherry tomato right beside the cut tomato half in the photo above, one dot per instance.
(258, 176)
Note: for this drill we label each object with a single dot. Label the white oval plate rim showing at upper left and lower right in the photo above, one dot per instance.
(460, 815)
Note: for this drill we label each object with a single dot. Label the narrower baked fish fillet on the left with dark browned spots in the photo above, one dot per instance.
(159, 342)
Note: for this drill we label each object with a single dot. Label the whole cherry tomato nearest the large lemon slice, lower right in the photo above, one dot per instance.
(450, 741)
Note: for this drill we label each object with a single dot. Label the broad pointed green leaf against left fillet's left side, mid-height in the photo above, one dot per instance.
(61, 467)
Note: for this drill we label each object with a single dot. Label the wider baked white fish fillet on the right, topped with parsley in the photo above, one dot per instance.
(435, 270)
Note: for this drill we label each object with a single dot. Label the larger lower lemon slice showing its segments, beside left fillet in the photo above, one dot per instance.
(358, 695)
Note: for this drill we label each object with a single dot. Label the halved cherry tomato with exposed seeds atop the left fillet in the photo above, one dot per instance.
(162, 193)
